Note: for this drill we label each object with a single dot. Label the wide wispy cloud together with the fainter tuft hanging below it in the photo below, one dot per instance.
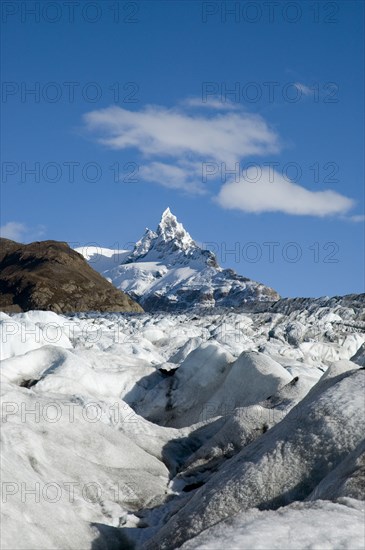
(187, 139)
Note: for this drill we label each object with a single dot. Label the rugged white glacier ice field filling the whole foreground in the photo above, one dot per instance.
(142, 431)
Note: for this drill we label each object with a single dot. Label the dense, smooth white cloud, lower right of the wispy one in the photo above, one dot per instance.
(273, 193)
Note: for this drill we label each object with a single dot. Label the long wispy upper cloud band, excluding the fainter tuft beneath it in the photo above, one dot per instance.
(157, 131)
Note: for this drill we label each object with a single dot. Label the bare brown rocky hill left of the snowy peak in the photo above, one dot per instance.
(49, 275)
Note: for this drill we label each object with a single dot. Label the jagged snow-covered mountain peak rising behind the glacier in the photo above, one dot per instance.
(167, 270)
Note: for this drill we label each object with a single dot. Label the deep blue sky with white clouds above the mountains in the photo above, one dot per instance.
(132, 113)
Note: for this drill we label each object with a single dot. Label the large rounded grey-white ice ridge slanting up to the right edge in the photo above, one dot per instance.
(284, 465)
